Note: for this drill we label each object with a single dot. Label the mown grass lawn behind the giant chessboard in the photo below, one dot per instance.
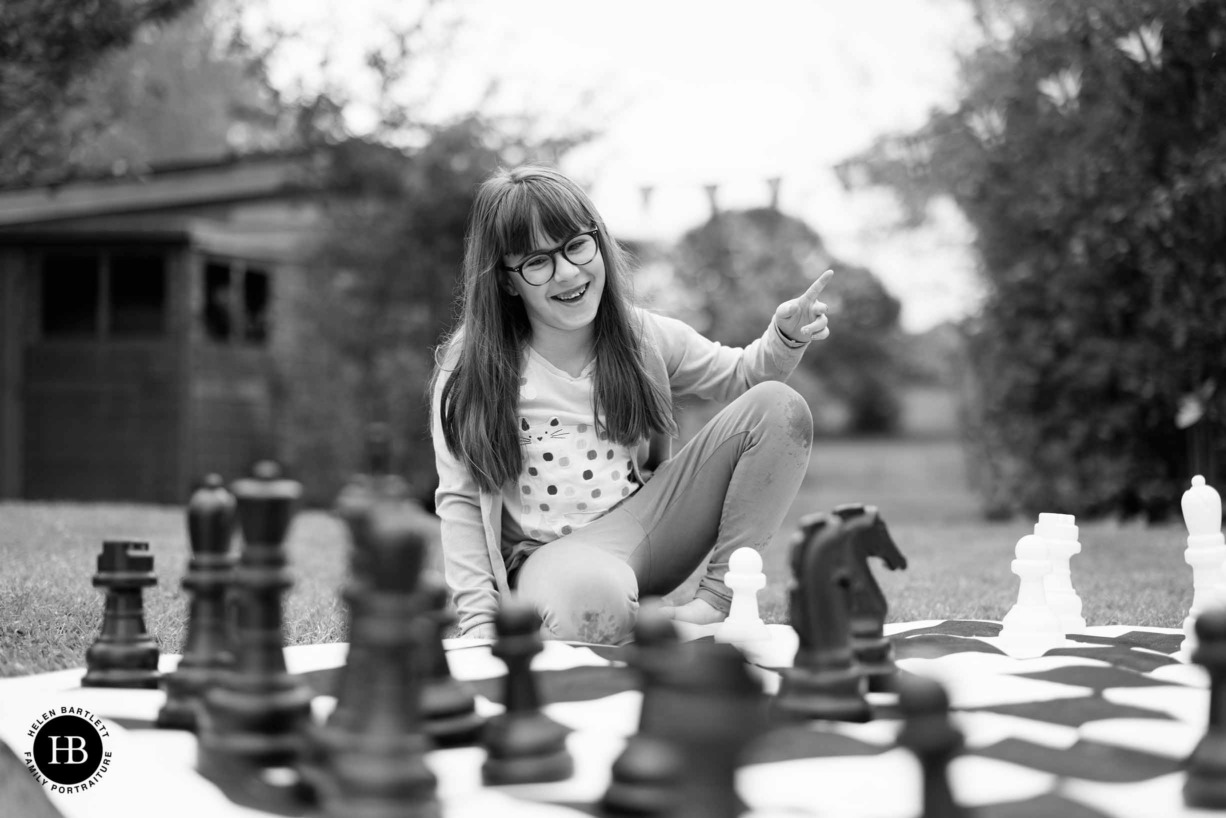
(959, 565)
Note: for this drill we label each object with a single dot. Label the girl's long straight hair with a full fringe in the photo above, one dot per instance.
(481, 396)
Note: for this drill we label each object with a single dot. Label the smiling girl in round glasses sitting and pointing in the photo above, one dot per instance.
(552, 411)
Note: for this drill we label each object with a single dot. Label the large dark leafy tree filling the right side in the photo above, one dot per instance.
(1089, 153)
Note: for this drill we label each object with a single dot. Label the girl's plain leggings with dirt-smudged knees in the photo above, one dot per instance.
(730, 487)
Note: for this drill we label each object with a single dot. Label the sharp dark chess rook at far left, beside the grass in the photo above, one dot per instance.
(126, 654)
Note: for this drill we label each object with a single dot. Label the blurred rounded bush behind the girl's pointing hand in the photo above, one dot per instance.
(740, 267)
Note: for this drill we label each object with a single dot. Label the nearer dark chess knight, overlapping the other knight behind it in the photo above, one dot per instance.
(826, 681)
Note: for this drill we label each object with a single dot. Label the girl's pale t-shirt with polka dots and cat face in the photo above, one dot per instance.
(572, 474)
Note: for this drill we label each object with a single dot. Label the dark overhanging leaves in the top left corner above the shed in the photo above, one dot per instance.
(47, 48)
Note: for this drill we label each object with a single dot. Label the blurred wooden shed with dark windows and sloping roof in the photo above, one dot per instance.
(139, 321)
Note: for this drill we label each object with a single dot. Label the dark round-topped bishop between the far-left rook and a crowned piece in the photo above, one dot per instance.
(208, 651)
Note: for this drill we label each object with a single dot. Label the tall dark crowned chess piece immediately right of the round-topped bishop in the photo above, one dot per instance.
(257, 717)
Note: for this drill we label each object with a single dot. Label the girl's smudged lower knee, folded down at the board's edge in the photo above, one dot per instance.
(587, 599)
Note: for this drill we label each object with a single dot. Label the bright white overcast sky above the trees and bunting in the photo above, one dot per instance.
(687, 95)
